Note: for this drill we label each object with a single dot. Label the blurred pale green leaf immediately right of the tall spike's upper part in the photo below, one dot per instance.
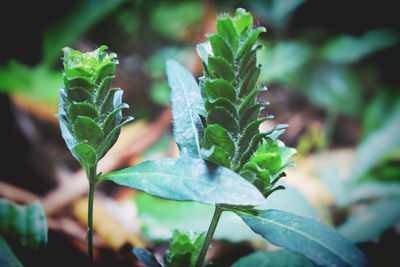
(282, 60)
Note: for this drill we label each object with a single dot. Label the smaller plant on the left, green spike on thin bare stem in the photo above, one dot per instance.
(90, 113)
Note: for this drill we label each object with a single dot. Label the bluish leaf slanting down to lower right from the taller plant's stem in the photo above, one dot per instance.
(318, 242)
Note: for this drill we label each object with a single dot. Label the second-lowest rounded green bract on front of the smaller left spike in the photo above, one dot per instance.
(88, 131)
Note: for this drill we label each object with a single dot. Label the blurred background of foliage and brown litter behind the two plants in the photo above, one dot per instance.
(332, 69)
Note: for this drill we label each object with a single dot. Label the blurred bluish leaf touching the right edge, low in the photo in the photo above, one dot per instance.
(370, 221)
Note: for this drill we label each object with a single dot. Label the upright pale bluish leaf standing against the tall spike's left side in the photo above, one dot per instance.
(186, 104)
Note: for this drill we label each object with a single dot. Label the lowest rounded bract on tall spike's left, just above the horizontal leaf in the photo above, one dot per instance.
(214, 134)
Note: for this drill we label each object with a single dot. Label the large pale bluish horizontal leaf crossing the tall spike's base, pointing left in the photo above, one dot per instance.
(186, 179)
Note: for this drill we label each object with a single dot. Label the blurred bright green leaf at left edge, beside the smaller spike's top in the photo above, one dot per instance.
(37, 83)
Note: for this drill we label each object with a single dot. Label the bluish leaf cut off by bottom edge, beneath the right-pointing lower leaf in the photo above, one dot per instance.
(277, 258)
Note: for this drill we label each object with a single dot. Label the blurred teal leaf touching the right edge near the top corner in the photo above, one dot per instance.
(348, 49)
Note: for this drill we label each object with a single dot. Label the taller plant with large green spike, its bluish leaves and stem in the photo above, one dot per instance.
(216, 127)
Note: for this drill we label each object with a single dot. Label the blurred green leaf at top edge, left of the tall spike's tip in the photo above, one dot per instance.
(175, 21)
